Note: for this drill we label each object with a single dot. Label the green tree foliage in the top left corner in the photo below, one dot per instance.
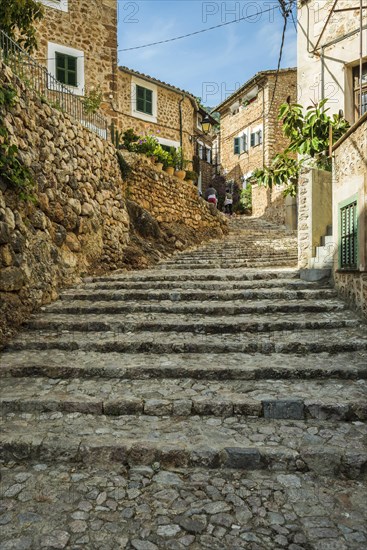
(17, 18)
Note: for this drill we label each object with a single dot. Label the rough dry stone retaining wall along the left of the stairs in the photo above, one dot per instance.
(80, 221)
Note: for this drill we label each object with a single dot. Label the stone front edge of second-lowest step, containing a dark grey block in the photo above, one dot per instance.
(294, 409)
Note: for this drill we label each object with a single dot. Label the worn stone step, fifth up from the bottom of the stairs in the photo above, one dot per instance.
(228, 324)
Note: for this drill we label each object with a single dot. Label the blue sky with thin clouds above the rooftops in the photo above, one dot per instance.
(214, 63)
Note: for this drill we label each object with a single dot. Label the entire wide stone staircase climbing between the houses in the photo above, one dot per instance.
(216, 401)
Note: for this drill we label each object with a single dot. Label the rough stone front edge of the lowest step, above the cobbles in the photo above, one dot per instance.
(321, 460)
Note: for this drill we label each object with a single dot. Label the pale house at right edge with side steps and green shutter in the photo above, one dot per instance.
(332, 214)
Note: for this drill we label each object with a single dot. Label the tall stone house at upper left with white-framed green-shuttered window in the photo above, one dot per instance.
(77, 41)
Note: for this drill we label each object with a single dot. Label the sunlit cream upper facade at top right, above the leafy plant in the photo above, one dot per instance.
(328, 46)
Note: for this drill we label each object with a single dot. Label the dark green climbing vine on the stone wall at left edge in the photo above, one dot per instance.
(12, 169)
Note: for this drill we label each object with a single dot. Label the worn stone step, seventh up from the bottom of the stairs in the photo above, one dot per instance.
(198, 294)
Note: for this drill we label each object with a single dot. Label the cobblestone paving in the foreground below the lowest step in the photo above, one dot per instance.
(72, 505)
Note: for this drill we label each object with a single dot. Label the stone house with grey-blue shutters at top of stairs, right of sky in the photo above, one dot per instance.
(251, 135)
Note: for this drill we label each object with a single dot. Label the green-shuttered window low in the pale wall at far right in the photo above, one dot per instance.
(348, 256)
